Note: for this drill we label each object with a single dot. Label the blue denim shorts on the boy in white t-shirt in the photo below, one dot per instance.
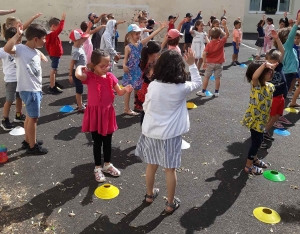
(32, 101)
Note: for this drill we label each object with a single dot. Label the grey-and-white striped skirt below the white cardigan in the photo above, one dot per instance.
(166, 153)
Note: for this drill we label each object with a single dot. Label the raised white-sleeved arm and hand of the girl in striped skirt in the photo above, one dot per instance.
(196, 81)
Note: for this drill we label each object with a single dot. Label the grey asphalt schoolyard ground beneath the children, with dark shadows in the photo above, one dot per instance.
(37, 193)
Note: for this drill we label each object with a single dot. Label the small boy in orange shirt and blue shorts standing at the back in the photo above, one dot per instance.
(236, 42)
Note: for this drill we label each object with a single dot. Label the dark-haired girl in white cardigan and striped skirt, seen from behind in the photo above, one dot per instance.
(164, 123)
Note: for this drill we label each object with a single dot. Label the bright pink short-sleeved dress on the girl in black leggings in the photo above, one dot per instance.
(100, 114)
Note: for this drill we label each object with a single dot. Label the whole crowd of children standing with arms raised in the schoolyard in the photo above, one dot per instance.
(158, 79)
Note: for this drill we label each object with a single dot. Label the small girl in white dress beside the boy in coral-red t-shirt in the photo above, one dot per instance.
(198, 44)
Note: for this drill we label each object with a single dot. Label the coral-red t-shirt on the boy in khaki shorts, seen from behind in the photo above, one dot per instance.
(215, 51)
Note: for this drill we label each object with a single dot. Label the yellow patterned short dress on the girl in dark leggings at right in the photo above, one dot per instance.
(258, 112)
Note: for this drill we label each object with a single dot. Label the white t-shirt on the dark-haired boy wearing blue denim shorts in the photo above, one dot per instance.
(29, 71)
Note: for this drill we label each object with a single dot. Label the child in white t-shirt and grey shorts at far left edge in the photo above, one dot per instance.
(10, 78)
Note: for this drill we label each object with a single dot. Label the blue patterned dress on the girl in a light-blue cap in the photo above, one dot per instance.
(134, 76)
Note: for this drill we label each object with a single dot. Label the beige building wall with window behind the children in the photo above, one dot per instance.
(250, 11)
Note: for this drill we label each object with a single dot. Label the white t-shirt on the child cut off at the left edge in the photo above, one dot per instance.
(9, 66)
